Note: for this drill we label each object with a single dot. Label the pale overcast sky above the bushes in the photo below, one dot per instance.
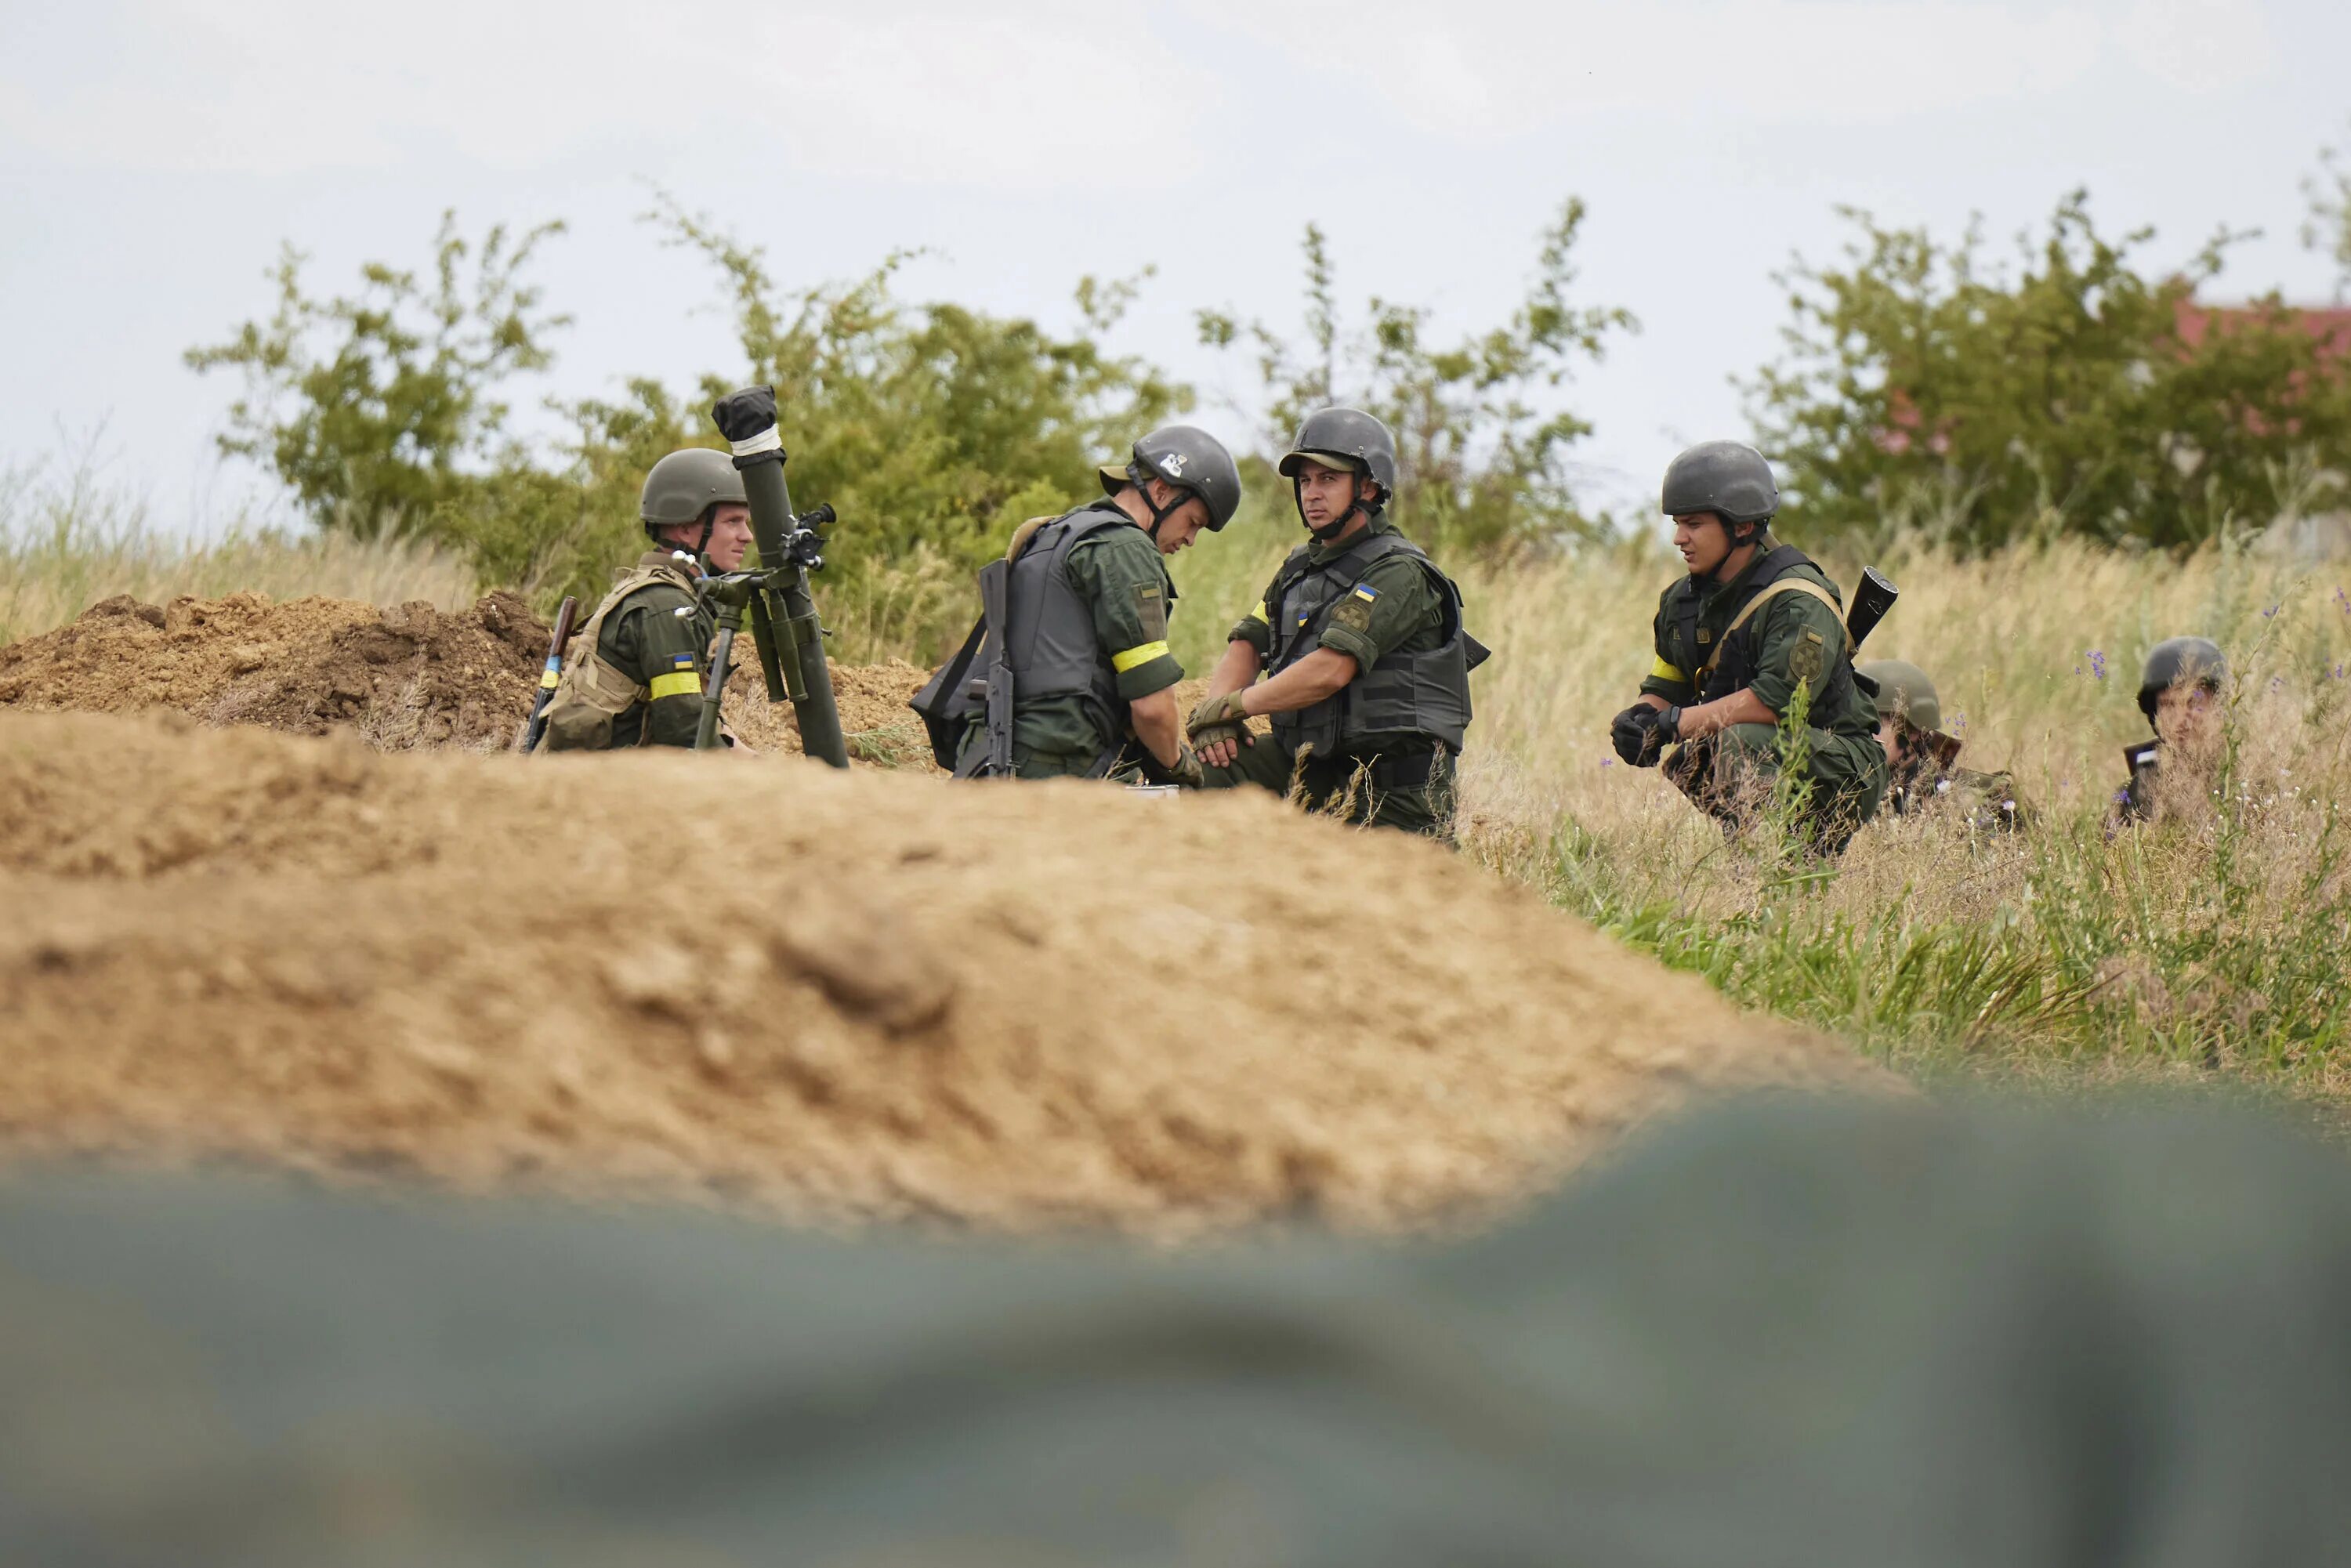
(154, 159)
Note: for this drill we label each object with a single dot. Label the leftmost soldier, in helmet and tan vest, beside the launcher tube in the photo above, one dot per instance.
(636, 674)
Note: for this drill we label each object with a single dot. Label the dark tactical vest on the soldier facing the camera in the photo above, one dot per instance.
(1402, 695)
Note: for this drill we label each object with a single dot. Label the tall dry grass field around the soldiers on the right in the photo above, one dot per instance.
(2211, 942)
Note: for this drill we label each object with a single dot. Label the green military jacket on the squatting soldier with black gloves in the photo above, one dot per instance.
(1797, 641)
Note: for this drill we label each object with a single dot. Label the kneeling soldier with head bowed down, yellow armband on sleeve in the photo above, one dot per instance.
(1085, 648)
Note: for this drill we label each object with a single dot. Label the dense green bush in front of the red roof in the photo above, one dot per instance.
(1922, 384)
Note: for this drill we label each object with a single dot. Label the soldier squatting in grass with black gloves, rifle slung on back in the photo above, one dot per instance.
(1734, 641)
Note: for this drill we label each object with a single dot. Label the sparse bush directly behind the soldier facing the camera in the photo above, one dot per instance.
(1480, 436)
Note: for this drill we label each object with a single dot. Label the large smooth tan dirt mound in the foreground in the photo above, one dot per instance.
(829, 993)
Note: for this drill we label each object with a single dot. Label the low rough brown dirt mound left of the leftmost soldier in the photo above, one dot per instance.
(403, 678)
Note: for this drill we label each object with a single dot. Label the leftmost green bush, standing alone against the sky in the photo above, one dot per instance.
(380, 408)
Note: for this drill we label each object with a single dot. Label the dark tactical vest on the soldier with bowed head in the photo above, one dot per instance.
(1047, 645)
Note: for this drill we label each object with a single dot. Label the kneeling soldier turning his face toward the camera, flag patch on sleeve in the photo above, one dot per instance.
(1362, 643)
